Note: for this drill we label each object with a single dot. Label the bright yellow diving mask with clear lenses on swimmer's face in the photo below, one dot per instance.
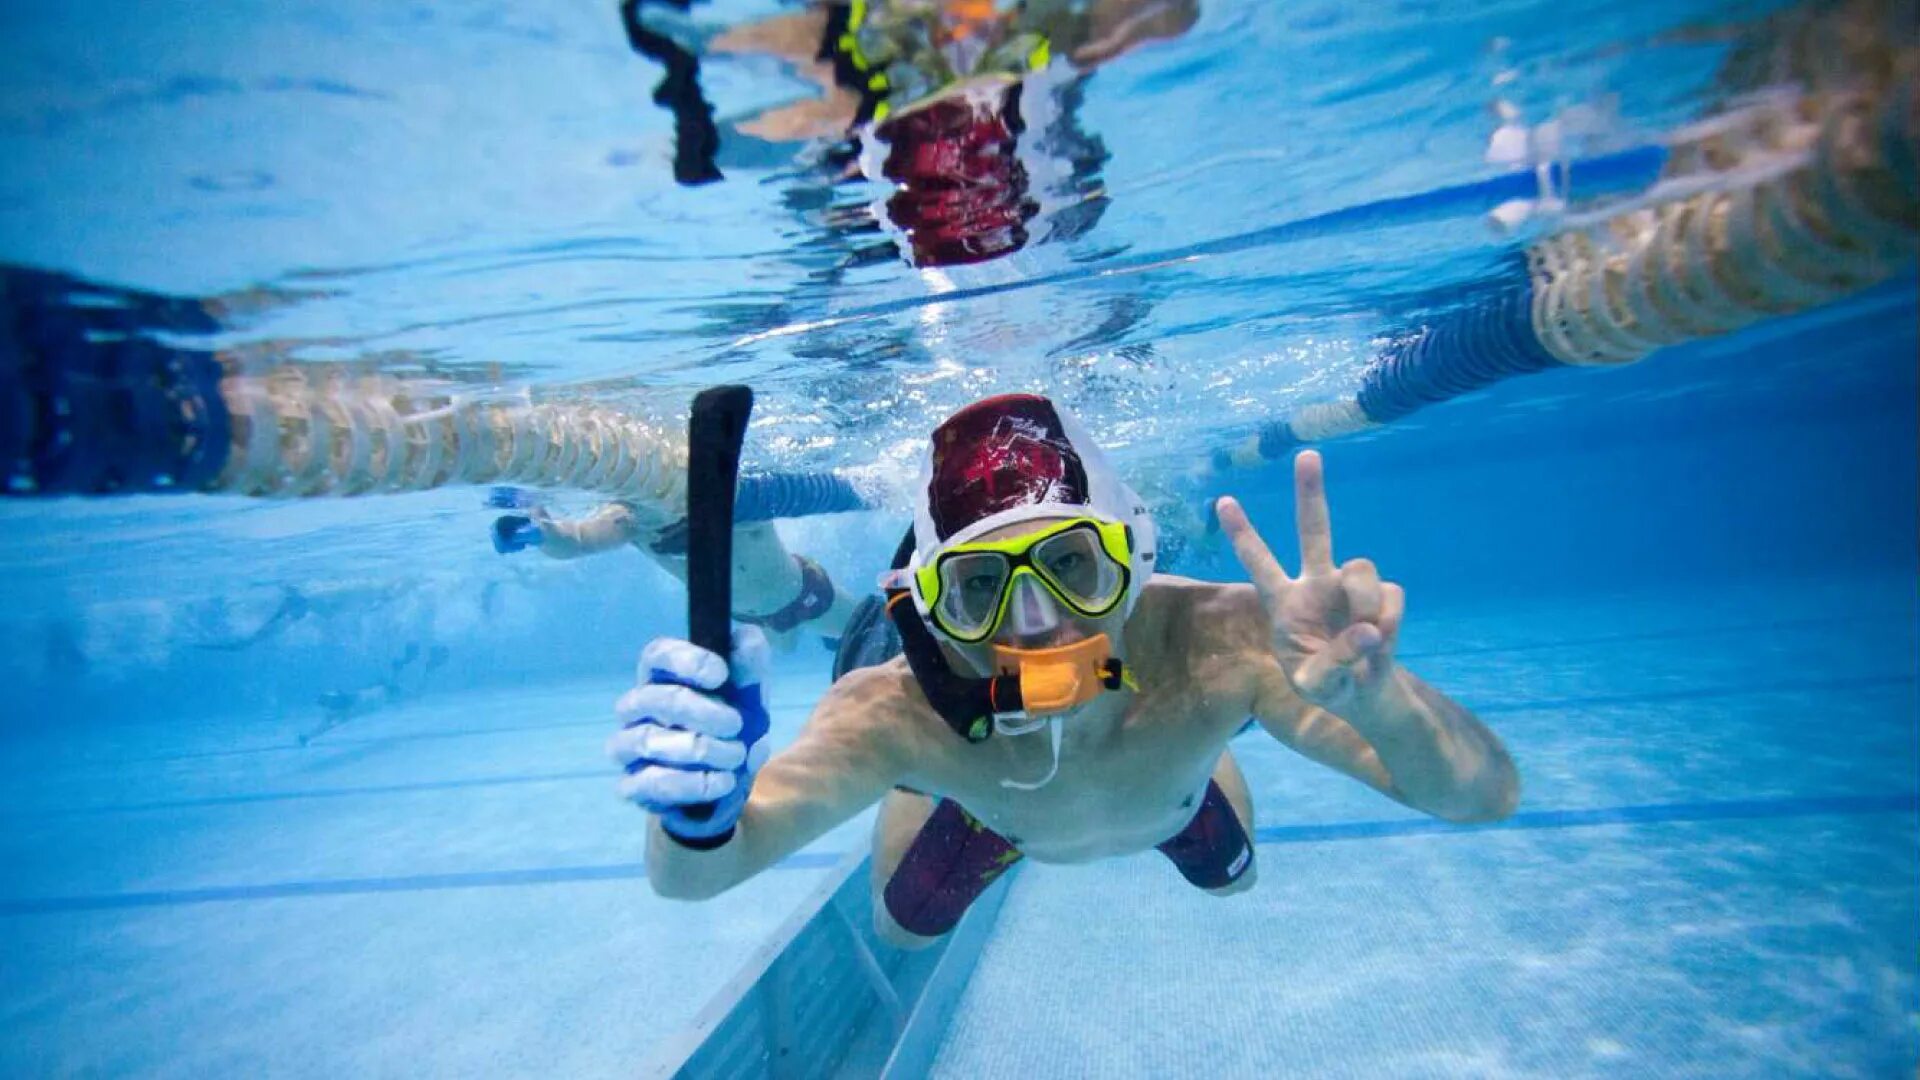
(1082, 562)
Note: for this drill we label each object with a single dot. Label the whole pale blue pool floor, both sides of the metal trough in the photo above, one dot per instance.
(1714, 873)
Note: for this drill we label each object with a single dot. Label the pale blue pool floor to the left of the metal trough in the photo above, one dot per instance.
(441, 889)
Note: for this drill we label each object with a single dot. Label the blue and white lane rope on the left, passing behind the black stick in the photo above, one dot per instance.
(95, 403)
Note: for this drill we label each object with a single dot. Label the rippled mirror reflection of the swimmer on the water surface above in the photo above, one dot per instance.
(963, 107)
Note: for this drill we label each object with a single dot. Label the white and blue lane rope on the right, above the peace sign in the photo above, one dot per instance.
(1777, 209)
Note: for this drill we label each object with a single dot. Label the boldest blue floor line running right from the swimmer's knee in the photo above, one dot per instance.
(1654, 814)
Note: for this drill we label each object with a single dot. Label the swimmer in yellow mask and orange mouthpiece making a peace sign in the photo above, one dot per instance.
(1057, 699)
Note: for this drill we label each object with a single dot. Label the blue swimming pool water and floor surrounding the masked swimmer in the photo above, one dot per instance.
(1681, 591)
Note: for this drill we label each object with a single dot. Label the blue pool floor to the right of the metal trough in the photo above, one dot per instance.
(1716, 871)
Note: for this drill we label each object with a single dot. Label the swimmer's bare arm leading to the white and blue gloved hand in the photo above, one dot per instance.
(844, 762)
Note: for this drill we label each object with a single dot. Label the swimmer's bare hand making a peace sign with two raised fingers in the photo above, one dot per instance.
(1333, 627)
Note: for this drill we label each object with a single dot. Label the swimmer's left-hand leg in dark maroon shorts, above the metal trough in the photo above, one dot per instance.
(932, 860)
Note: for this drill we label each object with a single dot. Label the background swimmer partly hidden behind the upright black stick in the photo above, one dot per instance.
(773, 589)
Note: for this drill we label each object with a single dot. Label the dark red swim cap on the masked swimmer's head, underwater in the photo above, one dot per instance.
(997, 454)
